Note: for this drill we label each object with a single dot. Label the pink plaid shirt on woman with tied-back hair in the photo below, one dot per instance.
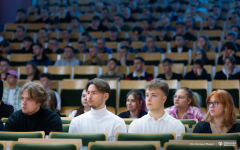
(192, 113)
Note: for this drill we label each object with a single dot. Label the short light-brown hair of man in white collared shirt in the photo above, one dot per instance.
(158, 84)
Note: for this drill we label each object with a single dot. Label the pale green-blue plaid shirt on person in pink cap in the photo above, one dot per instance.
(16, 101)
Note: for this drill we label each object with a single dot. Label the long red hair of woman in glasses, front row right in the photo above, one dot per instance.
(227, 101)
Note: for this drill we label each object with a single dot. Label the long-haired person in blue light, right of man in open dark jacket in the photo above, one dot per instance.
(204, 43)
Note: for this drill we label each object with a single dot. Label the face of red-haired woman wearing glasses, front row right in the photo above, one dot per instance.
(218, 110)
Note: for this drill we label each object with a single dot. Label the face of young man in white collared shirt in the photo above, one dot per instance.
(155, 99)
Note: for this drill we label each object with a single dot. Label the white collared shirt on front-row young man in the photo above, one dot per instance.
(165, 124)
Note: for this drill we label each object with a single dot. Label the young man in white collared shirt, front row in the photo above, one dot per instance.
(157, 120)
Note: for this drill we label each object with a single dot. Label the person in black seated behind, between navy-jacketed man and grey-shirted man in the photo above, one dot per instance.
(53, 47)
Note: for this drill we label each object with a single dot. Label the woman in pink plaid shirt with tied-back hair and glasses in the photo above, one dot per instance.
(186, 105)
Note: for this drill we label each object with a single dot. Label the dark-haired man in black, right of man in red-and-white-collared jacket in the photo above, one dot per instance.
(167, 65)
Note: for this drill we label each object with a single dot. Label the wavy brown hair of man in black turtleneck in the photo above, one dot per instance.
(35, 91)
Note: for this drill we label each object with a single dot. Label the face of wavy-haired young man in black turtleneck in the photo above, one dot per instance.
(29, 106)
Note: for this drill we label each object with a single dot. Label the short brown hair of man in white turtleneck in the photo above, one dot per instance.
(100, 84)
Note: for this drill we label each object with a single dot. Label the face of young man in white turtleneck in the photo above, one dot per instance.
(95, 98)
